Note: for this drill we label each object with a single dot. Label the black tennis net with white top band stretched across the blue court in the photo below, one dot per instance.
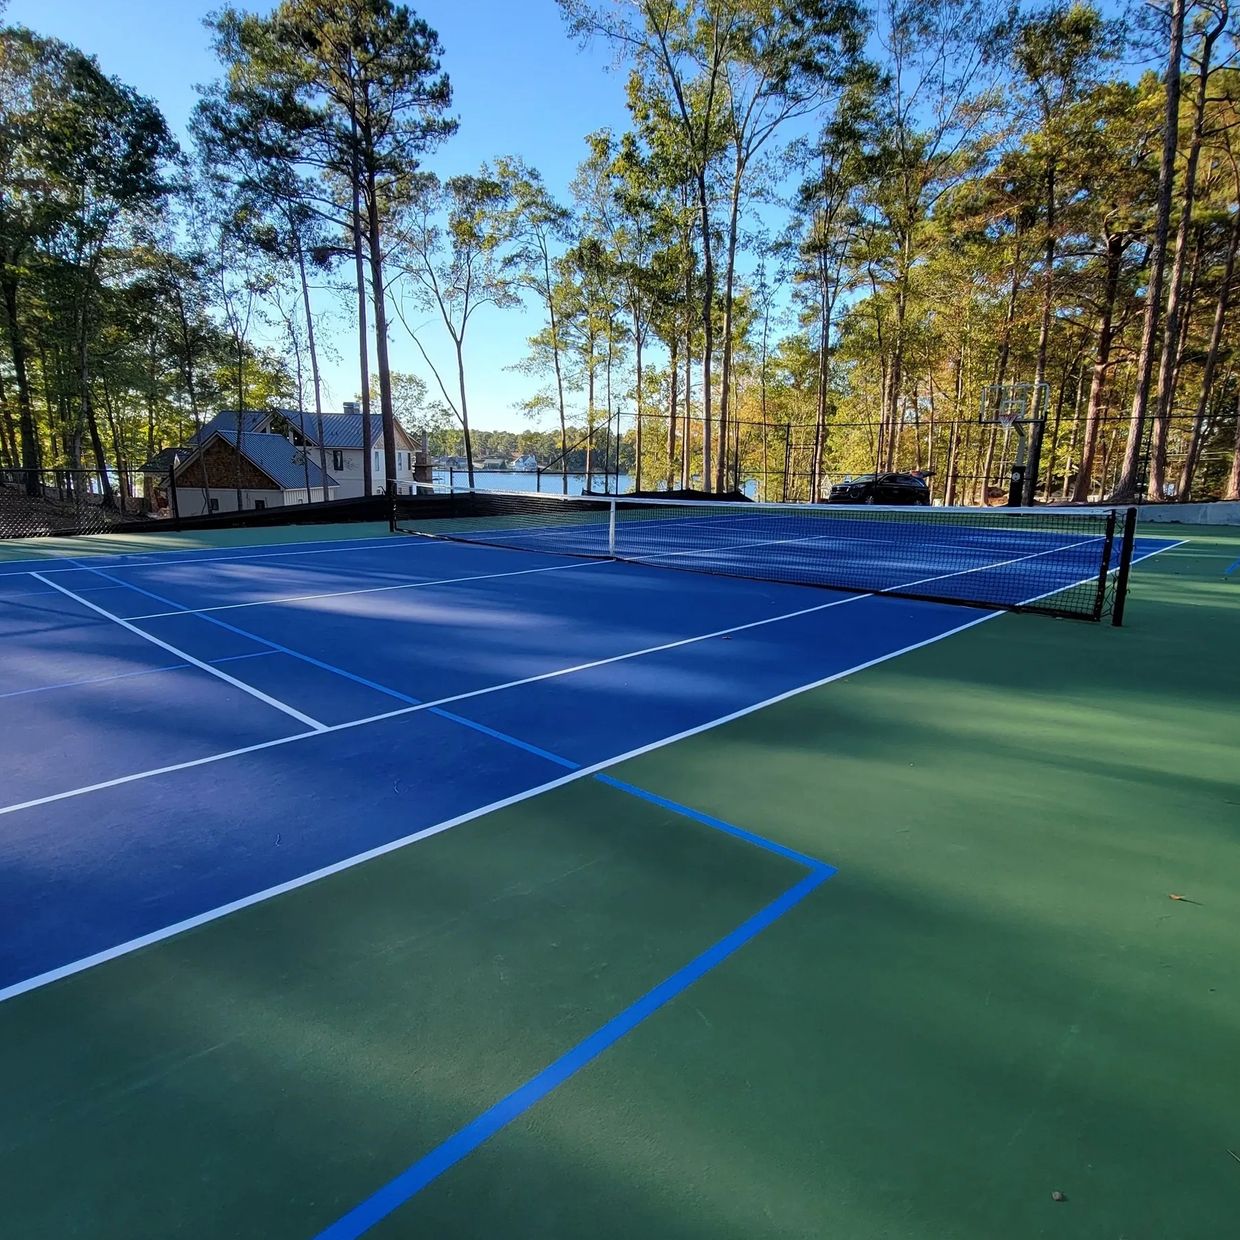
(1057, 561)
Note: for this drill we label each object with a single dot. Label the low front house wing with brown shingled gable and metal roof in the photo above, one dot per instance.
(226, 472)
